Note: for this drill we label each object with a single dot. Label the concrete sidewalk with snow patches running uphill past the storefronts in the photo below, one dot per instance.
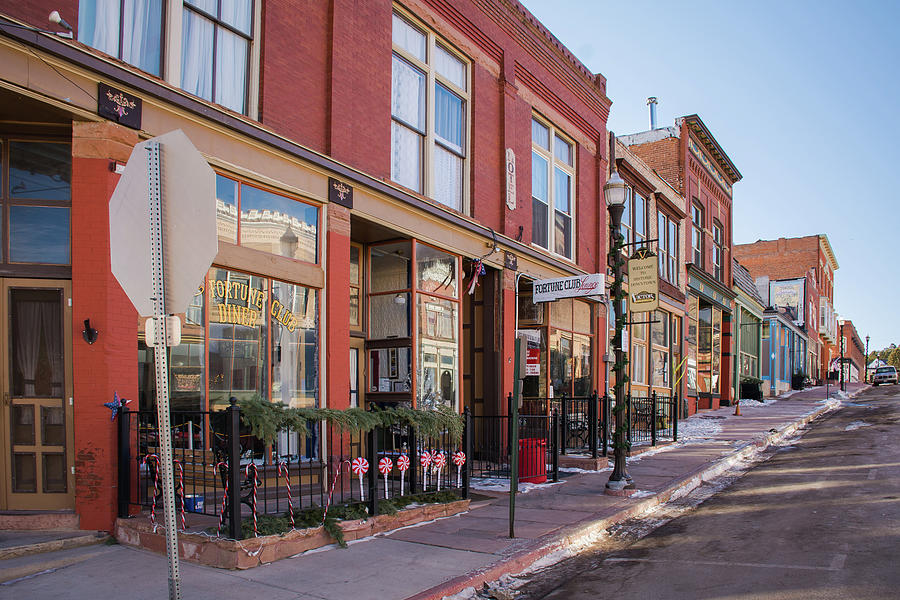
(435, 559)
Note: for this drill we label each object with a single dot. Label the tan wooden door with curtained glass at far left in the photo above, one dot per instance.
(36, 434)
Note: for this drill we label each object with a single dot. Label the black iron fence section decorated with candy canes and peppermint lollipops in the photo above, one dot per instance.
(322, 465)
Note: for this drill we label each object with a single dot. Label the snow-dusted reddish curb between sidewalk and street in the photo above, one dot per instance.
(582, 532)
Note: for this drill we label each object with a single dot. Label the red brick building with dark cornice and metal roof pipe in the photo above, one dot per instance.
(690, 159)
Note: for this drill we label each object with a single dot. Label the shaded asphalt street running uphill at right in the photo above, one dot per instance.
(820, 518)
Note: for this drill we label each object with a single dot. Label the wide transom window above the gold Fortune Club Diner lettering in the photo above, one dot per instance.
(266, 221)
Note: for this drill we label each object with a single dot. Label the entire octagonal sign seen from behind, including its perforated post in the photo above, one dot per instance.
(162, 233)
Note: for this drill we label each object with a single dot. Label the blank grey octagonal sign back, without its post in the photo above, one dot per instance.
(190, 242)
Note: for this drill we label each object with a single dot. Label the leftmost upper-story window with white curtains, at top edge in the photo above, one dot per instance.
(130, 30)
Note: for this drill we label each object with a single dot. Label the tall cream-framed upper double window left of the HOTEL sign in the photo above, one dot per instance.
(429, 107)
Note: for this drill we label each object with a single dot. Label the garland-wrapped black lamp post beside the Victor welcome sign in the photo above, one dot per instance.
(616, 193)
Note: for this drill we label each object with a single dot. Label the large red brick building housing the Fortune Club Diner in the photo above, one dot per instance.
(378, 151)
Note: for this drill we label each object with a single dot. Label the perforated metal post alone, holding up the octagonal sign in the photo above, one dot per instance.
(160, 356)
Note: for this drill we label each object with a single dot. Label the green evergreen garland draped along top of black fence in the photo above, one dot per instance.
(266, 419)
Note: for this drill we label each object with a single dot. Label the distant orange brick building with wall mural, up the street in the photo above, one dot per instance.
(803, 267)
